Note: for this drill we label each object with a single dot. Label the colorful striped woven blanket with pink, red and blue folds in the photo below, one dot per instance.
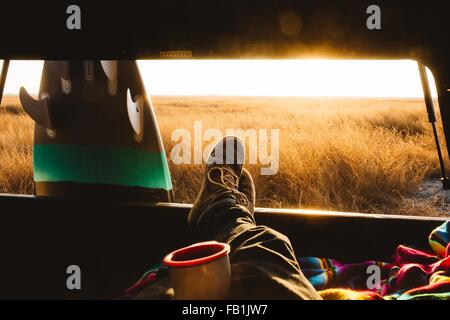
(412, 274)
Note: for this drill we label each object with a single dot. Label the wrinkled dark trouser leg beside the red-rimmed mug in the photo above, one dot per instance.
(263, 262)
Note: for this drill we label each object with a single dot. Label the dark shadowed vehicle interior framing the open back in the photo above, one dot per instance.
(115, 242)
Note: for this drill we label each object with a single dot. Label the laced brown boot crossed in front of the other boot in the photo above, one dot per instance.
(221, 182)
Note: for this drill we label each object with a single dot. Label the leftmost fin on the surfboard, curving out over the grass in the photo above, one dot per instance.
(38, 110)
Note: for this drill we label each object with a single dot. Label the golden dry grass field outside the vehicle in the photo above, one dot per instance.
(362, 155)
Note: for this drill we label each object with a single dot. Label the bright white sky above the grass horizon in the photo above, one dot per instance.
(348, 78)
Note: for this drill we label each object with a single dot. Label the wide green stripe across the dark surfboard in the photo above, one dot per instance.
(106, 165)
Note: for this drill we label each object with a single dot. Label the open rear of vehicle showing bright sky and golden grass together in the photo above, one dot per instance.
(320, 134)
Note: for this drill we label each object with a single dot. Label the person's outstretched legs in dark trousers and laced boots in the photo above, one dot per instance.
(263, 263)
